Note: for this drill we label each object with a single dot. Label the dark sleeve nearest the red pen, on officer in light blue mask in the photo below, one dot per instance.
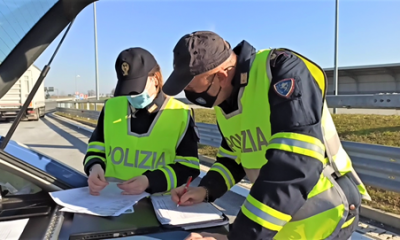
(186, 164)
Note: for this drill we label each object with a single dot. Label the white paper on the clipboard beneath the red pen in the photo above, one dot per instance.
(169, 213)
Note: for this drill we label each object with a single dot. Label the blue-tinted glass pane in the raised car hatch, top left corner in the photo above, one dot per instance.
(16, 19)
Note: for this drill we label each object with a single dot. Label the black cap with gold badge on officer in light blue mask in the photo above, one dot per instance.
(133, 66)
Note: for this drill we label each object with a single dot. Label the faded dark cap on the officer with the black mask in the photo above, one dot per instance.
(194, 54)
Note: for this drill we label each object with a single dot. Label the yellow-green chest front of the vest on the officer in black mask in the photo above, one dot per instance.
(247, 136)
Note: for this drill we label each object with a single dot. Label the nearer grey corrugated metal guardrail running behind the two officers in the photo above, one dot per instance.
(377, 165)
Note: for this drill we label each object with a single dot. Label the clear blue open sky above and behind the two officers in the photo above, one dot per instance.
(368, 33)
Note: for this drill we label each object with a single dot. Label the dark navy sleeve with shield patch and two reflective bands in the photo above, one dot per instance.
(295, 152)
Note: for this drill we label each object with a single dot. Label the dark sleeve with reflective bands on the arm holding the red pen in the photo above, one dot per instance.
(224, 173)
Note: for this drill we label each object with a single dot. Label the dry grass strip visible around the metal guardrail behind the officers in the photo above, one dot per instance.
(373, 129)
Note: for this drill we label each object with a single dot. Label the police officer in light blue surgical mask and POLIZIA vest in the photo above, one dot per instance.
(143, 139)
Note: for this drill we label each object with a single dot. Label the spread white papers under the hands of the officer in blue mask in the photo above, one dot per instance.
(110, 202)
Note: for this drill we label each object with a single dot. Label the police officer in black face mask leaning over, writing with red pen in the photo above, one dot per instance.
(271, 111)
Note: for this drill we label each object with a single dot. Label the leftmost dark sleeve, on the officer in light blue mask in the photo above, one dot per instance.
(95, 153)
